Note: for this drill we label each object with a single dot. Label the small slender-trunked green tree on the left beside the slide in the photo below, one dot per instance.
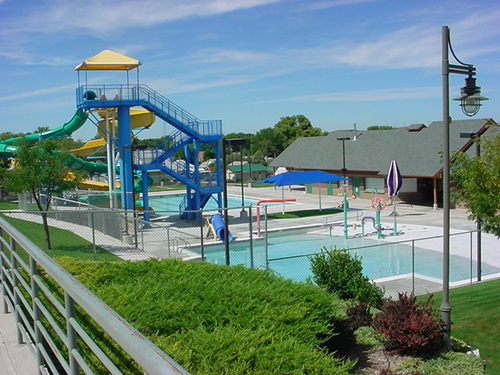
(41, 171)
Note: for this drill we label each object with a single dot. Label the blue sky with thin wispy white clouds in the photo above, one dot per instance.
(251, 62)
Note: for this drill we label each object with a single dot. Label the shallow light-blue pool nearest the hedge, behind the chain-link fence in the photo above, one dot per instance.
(286, 254)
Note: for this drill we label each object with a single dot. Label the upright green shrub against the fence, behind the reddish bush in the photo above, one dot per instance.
(340, 273)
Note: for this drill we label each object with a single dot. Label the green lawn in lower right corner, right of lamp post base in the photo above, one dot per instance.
(475, 319)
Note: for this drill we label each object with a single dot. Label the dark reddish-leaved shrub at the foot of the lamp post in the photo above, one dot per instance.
(408, 326)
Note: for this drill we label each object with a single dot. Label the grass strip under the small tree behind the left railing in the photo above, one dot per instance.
(64, 243)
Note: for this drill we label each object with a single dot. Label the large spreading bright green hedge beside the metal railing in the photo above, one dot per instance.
(218, 319)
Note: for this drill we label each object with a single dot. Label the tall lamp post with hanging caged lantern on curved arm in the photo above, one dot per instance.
(470, 101)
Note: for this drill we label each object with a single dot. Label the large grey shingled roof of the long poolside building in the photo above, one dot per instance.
(416, 149)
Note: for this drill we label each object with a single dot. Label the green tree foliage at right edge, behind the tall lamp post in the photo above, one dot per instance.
(476, 182)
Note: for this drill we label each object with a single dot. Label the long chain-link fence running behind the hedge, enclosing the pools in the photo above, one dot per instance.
(408, 265)
